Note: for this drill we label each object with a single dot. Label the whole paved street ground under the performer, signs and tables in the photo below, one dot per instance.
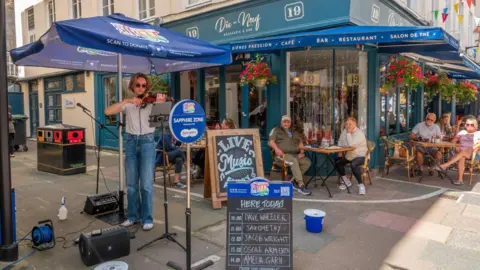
(398, 225)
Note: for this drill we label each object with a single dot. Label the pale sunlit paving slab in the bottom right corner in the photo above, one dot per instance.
(450, 257)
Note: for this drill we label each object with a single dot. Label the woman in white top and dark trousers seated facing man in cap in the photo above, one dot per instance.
(354, 137)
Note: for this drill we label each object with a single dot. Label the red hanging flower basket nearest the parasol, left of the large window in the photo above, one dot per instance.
(257, 73)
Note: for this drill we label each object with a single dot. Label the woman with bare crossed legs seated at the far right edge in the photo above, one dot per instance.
(467, 138)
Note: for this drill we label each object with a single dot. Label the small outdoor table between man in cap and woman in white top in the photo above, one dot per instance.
(328, 153)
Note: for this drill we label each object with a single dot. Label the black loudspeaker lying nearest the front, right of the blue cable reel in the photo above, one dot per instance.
(104, 245)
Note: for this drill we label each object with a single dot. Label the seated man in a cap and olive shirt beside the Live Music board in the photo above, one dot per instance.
(287, 141)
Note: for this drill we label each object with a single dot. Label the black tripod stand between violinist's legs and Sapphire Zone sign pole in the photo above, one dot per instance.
(166, 235)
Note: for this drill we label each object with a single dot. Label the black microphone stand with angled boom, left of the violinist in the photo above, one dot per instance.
(121, 208)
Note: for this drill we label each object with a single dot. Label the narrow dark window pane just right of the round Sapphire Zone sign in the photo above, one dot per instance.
(212, 85)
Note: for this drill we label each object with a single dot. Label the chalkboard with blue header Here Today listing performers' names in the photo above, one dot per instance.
(259, 225)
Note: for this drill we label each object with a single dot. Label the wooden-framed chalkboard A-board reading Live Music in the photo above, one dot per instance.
(236, 156)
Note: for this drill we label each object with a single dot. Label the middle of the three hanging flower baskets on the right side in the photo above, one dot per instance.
(439, 84)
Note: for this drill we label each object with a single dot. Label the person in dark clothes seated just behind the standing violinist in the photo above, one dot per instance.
(175, 155)
